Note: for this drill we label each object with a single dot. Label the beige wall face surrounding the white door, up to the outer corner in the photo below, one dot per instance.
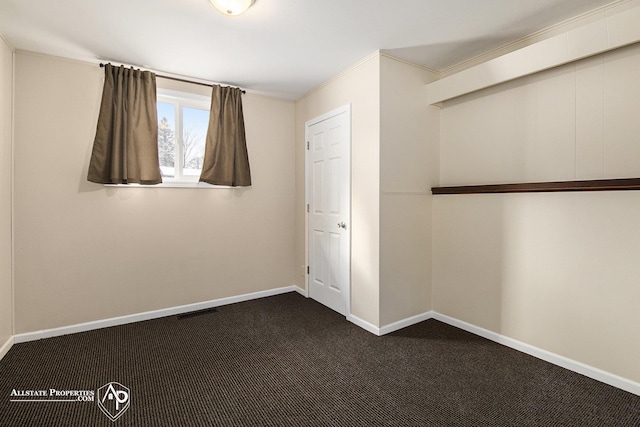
(360, 87)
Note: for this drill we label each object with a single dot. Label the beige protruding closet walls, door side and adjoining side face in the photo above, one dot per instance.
(394, 162)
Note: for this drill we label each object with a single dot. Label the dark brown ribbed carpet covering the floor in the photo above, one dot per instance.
(288, 361)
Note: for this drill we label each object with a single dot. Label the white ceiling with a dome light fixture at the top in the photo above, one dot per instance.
(283, 48)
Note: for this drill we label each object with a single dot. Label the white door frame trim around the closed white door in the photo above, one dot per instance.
(340, 110)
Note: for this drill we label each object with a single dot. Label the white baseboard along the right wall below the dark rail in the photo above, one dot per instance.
(556, 359)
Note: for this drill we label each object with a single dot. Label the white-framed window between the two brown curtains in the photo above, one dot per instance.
(183, 119)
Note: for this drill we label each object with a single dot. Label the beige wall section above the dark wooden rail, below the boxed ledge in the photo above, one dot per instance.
(577, 121)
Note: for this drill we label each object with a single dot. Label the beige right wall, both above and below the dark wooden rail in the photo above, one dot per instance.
(557, 271)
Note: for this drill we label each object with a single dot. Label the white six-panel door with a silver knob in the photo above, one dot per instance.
(328, 203)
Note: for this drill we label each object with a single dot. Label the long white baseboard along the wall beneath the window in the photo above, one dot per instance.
(148, 315)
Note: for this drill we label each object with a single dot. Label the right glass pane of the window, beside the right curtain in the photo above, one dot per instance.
(195, 122)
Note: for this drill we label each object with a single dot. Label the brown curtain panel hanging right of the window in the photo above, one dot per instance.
(226, 161)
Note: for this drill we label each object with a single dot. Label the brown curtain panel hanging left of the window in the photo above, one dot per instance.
(125, 149)
